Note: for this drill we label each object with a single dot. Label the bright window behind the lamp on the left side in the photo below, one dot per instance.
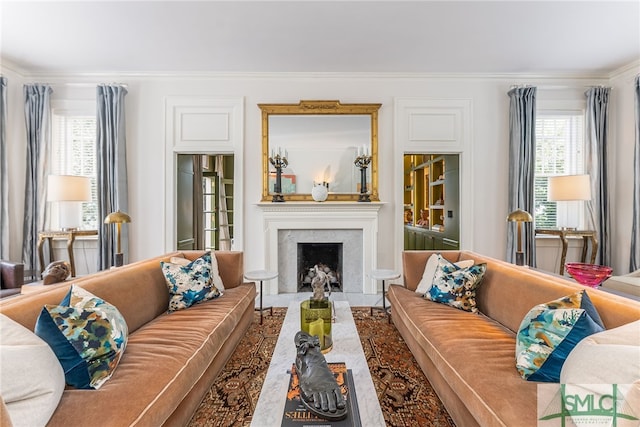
(73, 152)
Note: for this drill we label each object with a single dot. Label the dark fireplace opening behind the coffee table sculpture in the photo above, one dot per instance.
(327, 256)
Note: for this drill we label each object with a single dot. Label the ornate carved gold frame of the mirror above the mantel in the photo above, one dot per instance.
(317, 108)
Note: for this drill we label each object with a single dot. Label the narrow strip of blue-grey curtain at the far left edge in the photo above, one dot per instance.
(4, 173)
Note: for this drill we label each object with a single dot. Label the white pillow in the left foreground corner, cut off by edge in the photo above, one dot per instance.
(31, 377)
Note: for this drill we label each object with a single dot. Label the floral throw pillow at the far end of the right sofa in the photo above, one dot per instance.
(456, 286)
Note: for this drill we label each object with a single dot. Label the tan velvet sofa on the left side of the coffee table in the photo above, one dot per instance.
(170, 360)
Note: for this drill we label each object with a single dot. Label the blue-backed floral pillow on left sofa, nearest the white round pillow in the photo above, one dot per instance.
(88, 336)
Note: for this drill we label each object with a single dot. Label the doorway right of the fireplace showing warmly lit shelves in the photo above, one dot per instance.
(431, 202)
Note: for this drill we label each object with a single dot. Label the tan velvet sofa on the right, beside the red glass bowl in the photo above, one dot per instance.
(470, 359)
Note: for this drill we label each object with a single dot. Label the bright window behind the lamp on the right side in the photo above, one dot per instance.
(559, 151)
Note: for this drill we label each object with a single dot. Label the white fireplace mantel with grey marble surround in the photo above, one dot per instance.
(335, 222)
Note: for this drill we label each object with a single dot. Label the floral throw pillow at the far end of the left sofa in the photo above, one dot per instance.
(189, 284)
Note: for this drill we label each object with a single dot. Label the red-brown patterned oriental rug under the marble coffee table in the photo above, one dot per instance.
(404, 393)
